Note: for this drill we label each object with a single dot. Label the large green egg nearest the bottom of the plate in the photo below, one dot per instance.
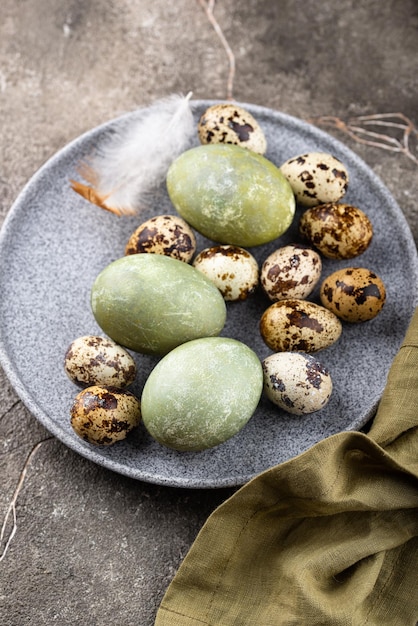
(202, 393)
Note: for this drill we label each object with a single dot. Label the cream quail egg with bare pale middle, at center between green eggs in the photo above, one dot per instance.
(231, 268)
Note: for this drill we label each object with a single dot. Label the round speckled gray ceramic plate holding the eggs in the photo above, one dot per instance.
(54, 243)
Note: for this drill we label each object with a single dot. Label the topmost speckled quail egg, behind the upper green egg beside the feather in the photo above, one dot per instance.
(228, 123)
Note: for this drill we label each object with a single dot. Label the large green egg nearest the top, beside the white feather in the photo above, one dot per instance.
(231, 195)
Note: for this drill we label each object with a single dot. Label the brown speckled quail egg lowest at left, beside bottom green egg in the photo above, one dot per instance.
(104, 415)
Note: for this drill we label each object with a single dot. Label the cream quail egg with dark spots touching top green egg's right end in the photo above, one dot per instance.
(316, 178)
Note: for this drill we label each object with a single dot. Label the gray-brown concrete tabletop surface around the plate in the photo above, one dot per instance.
(92, 547)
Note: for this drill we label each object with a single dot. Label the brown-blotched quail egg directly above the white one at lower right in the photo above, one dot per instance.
(299, 325)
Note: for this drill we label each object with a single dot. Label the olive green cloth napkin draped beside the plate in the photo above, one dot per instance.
(329, 537)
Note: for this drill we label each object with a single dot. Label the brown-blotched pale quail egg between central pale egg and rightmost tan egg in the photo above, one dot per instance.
(292, 271)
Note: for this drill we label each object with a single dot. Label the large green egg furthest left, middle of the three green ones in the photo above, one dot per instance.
(152, 303)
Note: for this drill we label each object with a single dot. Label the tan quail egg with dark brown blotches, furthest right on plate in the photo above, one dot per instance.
(354, 294)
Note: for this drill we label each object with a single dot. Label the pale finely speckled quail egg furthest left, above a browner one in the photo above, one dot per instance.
(93, 360)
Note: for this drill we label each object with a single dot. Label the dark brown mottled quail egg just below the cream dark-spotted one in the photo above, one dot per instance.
(338, 231)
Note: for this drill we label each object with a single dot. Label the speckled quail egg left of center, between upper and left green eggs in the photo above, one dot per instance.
(168, 235)
